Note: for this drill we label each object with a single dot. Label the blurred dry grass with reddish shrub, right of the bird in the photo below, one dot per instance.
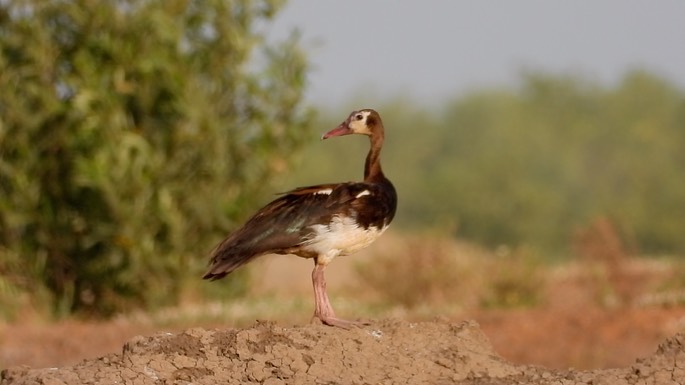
(420, 272)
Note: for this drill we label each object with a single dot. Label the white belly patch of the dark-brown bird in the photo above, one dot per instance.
(342, 236)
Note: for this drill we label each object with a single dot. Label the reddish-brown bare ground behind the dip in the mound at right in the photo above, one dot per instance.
(587, 338)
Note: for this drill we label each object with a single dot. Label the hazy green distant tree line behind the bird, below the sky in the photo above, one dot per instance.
(528, 167)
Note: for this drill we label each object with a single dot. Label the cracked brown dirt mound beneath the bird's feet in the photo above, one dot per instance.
(386, 352)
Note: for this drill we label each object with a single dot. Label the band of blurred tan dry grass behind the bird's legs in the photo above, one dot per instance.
(420, 276)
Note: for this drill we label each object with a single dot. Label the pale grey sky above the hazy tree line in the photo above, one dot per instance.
(431, 50)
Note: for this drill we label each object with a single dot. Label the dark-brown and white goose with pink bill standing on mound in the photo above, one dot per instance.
(319, 222)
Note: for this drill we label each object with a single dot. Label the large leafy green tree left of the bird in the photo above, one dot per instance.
(133, 135)
